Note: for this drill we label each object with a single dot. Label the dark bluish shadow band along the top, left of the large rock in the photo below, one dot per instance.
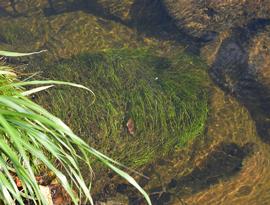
(148, 17)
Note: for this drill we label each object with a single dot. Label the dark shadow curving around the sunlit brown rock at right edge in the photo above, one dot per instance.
(236, 76)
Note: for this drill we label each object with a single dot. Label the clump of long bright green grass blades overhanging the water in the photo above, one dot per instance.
(31, 137)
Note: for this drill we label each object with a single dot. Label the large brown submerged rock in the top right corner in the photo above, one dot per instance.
(204, 19)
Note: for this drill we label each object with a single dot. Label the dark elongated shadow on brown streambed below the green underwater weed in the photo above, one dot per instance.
(224, 162)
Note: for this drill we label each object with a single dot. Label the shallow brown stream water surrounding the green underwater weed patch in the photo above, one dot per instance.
(229, 162)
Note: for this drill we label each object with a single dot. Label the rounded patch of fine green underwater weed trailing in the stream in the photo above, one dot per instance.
(165, 97)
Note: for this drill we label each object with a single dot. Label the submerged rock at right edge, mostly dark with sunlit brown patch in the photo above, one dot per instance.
(241, 68)
